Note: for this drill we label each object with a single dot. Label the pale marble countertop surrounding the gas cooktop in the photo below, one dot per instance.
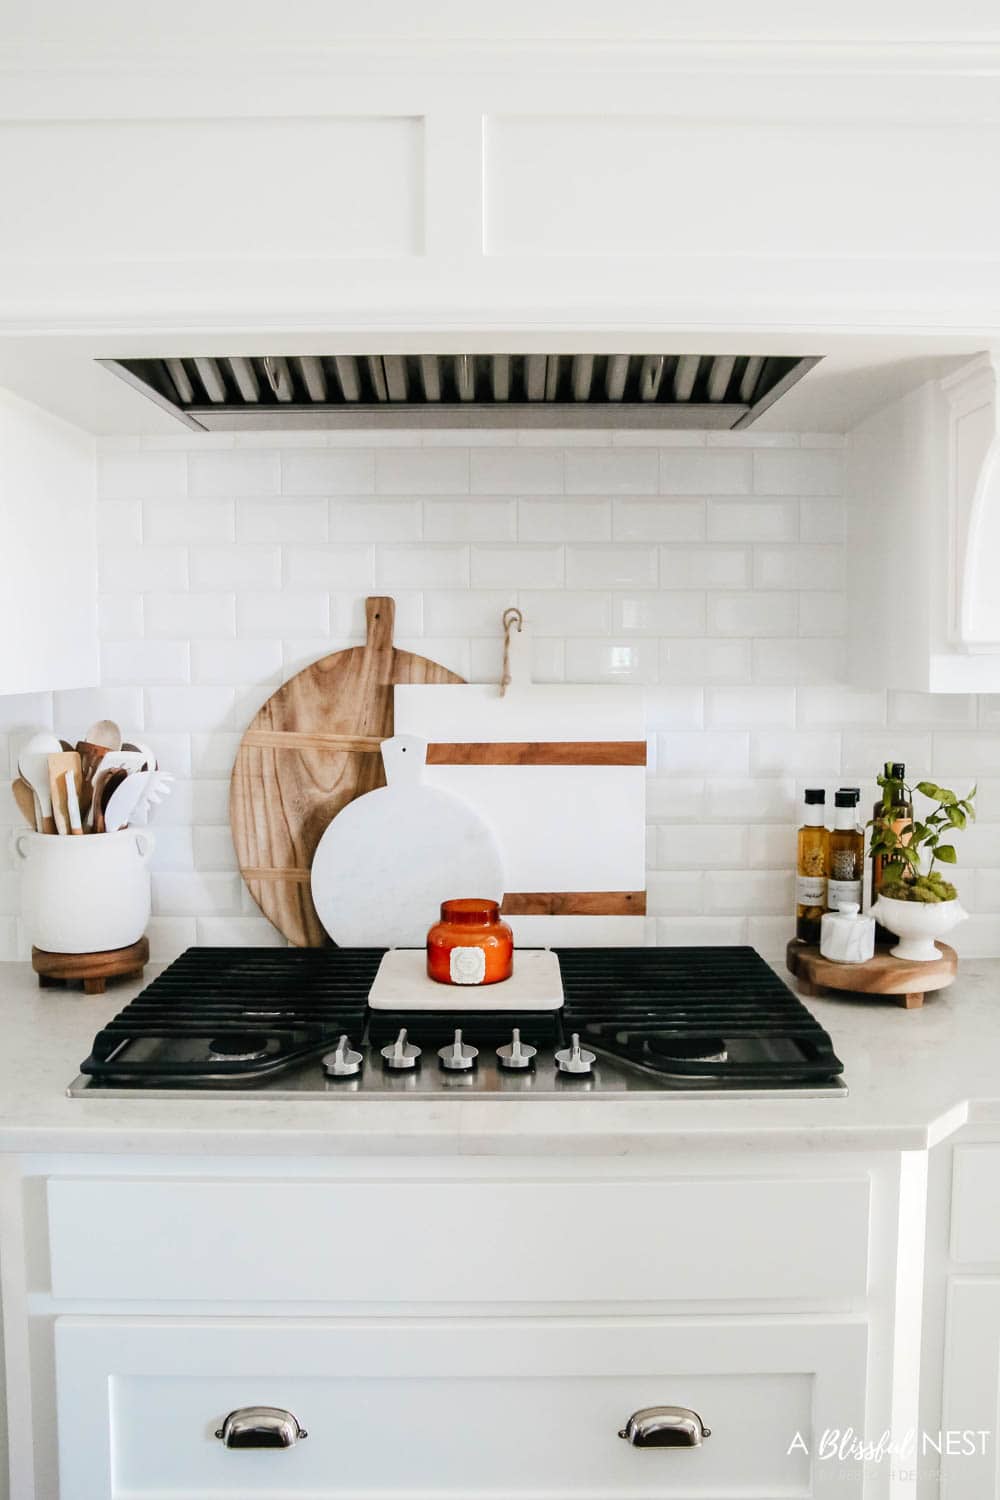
(914, 1079)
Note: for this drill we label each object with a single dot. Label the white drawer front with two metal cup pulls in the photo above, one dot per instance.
(482, 1409)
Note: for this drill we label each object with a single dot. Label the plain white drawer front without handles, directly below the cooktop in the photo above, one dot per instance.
(681, 1240)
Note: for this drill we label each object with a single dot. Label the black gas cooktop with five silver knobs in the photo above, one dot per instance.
(296, 1024)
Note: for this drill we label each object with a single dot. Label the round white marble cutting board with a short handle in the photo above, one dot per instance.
(392, 857)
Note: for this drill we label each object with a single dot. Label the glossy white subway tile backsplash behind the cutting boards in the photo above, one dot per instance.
(725, 604)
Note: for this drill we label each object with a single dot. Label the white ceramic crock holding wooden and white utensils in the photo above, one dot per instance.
(85, 895)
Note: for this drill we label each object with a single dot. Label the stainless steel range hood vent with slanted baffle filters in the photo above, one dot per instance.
(466, 391)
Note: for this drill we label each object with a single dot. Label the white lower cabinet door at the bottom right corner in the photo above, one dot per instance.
(971, 1418)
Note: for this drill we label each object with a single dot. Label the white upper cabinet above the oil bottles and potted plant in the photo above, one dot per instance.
(924, 505)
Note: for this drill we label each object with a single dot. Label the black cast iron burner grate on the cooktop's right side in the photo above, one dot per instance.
(699, 1013)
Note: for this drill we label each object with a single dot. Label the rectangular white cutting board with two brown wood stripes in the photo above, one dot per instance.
(560, 773)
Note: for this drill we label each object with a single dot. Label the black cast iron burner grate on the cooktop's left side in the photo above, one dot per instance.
(223, 1015)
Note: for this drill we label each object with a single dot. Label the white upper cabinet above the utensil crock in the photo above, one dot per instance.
(49, 563)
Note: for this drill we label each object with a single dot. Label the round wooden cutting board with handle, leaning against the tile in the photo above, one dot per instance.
(308, 752)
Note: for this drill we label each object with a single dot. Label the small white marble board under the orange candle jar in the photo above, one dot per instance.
(403, 985)
